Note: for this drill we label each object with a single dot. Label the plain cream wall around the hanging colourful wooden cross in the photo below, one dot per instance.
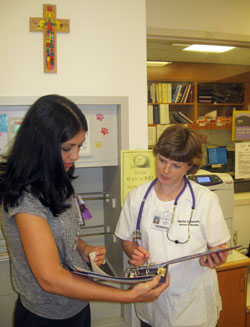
(103, 55)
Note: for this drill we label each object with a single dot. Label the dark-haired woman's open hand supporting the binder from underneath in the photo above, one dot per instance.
(149, 291)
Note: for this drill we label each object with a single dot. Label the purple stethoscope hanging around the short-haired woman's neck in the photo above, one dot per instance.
(137, 234)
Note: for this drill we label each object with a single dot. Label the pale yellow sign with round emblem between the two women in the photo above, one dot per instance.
(137, 167)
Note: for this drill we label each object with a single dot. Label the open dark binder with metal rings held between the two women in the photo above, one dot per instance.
(134, 275)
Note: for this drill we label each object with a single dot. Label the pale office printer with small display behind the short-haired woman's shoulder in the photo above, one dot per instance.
(222, 184)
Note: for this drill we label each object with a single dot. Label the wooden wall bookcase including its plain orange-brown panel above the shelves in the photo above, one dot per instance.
(216, 90)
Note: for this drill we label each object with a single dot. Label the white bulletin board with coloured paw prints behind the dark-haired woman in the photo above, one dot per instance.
(101, 145)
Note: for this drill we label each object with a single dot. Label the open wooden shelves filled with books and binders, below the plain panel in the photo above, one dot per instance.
(190, 102)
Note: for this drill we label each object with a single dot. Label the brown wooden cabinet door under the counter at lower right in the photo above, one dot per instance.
(233, 290)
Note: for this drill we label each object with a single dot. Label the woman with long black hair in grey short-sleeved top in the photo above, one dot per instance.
(41, 221)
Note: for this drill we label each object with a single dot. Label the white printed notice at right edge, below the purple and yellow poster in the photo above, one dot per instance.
(242, 160)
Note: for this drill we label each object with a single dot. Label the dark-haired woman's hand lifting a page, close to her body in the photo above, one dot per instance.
(85, 249)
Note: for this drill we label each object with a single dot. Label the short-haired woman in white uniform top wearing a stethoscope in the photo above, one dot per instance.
(189, 220)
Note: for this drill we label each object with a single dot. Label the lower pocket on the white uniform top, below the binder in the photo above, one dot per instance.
(188, 309)
